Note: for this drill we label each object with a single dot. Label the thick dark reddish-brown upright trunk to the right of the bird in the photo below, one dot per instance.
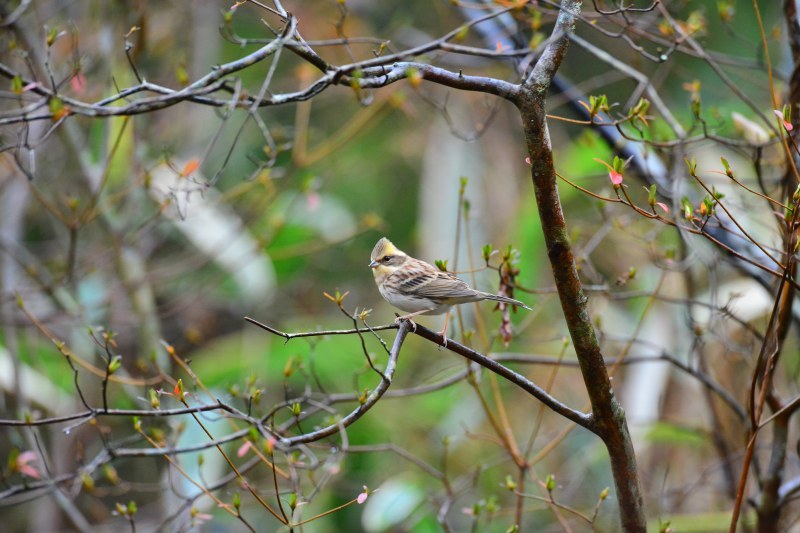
(607, 415)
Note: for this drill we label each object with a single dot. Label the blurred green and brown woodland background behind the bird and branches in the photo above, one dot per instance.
(166, 228)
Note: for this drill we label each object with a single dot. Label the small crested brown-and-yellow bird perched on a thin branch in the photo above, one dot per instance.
(418, 288)
